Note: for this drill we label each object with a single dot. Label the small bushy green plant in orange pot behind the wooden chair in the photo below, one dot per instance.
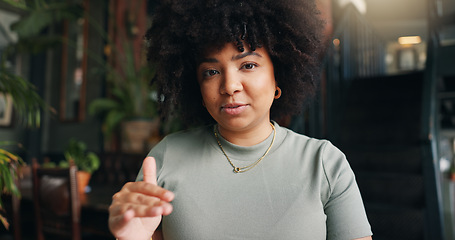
(86, 161)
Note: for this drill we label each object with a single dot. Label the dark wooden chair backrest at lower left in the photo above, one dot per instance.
(56, 202)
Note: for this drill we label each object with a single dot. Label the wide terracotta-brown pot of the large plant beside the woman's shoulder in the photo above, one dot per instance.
(136, 133)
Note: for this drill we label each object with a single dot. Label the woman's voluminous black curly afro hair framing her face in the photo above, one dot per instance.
(182, 30)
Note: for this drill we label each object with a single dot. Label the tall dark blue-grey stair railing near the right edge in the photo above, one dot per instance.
(430, 123)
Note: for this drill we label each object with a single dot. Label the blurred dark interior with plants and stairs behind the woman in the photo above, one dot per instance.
(78, 113)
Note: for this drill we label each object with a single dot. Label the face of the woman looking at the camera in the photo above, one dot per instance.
(237, 87)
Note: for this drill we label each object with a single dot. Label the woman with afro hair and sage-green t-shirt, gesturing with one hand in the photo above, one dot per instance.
(234, 66)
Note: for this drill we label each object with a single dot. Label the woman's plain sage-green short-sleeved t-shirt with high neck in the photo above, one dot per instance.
(303, 189)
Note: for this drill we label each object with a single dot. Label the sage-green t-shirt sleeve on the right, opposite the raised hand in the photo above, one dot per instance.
(346, 217)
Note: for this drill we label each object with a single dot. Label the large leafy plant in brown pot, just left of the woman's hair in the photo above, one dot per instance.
(131, 108)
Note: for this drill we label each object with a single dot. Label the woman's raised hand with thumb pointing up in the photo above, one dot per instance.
(136, 209)
